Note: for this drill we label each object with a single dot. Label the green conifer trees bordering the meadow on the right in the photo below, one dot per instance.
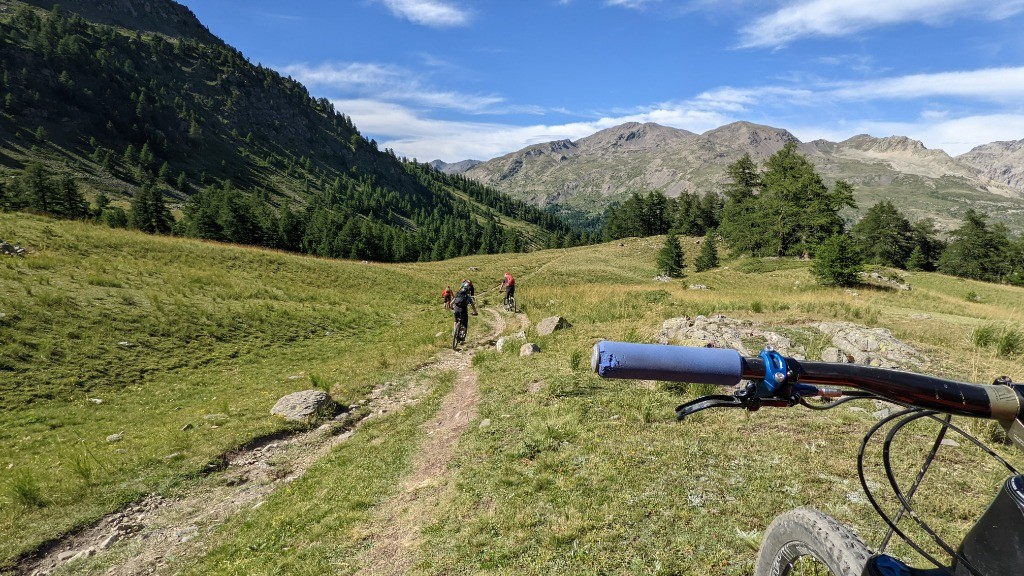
(784, 209)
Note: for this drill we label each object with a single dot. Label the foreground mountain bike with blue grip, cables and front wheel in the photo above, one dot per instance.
(808, 542)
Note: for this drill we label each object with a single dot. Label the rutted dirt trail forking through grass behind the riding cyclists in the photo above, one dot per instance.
(143, 538)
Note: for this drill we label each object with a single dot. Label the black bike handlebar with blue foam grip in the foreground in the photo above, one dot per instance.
(729, 367)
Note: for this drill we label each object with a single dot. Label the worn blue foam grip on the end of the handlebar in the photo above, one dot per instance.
(659, 362)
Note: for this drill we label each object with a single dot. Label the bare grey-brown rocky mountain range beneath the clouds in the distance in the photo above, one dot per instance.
(588, 175)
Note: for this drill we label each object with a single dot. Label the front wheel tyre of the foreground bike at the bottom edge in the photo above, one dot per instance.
(808, 542)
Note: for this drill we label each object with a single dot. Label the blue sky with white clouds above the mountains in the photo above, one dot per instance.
(460, 79)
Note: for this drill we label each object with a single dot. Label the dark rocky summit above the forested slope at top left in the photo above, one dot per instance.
(162, 17)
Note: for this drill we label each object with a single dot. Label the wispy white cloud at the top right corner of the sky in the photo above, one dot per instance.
(843, 18)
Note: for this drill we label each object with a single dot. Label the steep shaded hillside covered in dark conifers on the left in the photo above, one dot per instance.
(182, 134)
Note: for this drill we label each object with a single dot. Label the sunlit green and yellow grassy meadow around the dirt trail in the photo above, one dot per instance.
(578, 476)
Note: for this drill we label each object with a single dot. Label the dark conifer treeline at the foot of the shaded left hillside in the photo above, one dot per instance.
(351, 222)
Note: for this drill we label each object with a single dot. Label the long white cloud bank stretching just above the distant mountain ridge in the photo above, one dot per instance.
(403, 121)
